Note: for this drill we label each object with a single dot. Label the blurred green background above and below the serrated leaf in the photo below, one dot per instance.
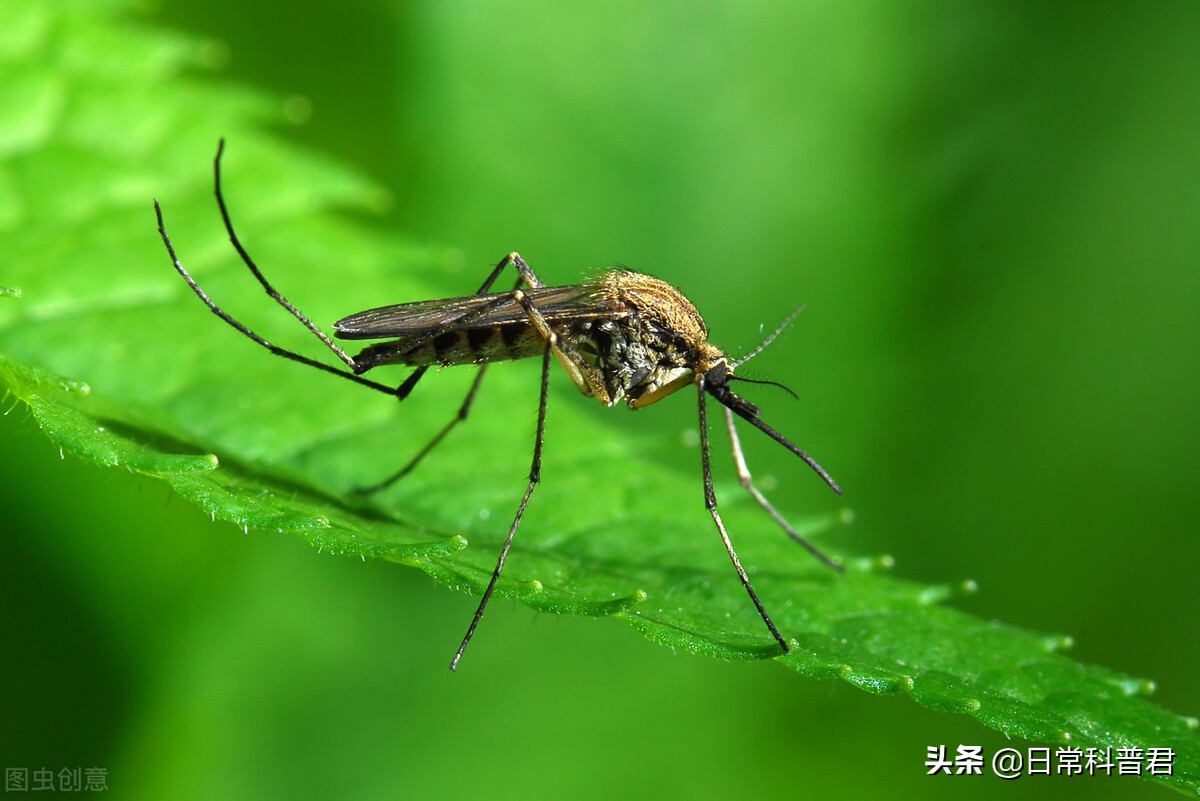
(991, 212)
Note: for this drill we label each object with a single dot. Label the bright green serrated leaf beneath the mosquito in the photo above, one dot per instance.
(121, 365)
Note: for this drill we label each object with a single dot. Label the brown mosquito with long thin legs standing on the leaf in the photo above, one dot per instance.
(622, 336)
